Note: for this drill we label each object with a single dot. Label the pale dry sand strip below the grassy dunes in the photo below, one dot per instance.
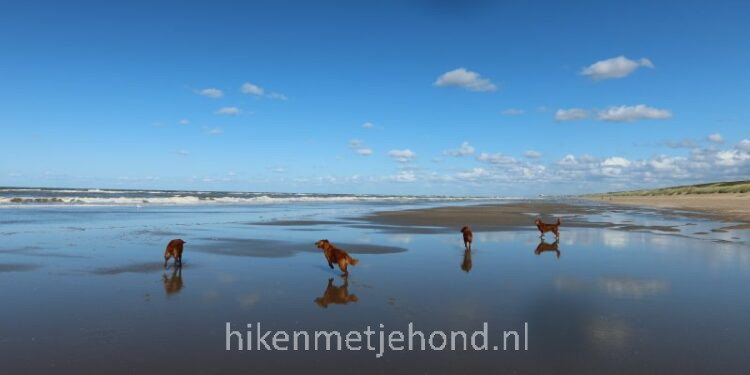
(722, 207)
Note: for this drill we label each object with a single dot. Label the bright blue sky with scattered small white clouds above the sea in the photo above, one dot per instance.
(393, 97)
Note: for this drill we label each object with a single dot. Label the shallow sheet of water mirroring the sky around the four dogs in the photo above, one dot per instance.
(84, 290)
